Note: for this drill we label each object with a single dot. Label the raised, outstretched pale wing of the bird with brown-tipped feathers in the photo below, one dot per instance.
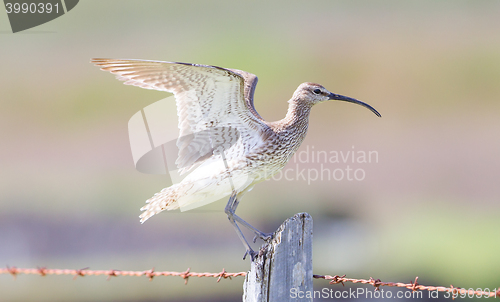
(214, 104)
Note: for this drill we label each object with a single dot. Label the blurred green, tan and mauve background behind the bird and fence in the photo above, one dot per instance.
(70, 195)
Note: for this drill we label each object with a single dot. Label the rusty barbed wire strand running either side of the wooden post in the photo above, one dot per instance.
(413, 285)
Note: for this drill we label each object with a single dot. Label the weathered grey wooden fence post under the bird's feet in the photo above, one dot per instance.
(283, 269)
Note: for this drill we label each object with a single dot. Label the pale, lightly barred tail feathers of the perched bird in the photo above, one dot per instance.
(166, 199)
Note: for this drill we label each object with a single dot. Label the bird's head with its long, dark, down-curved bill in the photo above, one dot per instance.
(312, 94)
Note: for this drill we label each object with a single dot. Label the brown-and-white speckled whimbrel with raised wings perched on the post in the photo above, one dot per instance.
(218, 123)
